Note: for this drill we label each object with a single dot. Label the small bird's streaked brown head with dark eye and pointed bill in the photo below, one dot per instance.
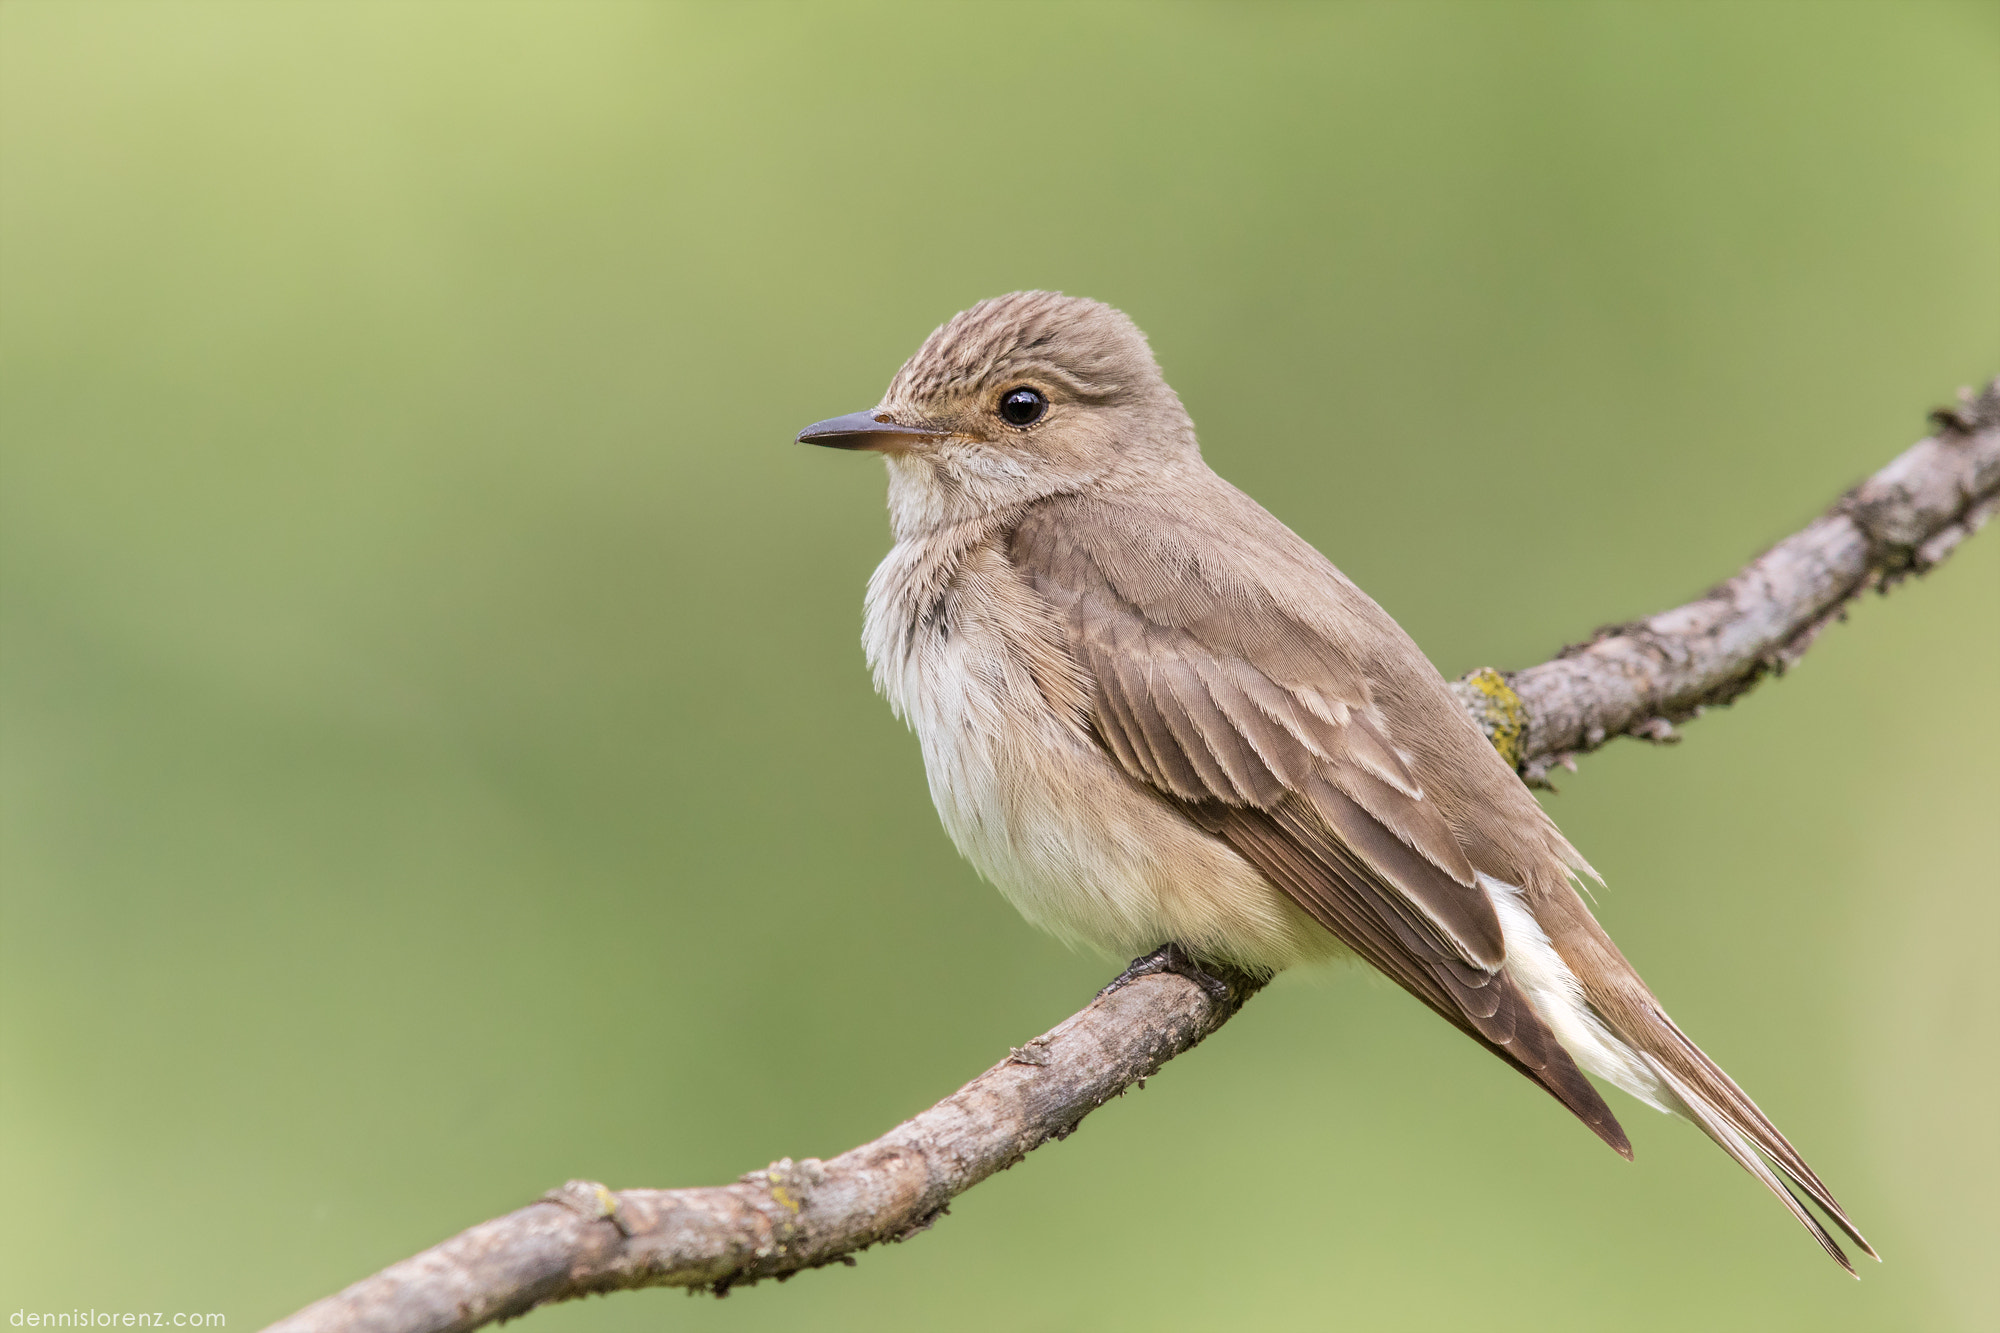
(1017, 399)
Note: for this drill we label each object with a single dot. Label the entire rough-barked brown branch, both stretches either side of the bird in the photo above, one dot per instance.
(1633, 680)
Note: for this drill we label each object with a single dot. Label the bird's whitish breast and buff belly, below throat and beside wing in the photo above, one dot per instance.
(1031, 798)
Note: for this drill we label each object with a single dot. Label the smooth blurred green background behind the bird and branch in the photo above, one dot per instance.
(439, 758)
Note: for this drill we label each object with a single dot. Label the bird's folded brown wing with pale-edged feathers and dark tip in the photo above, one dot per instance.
(1267, 734)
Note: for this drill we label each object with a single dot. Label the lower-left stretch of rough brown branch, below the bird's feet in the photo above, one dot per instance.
(795, 1214)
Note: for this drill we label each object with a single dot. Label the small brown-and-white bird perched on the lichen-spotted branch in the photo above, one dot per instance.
(1165, 726)
